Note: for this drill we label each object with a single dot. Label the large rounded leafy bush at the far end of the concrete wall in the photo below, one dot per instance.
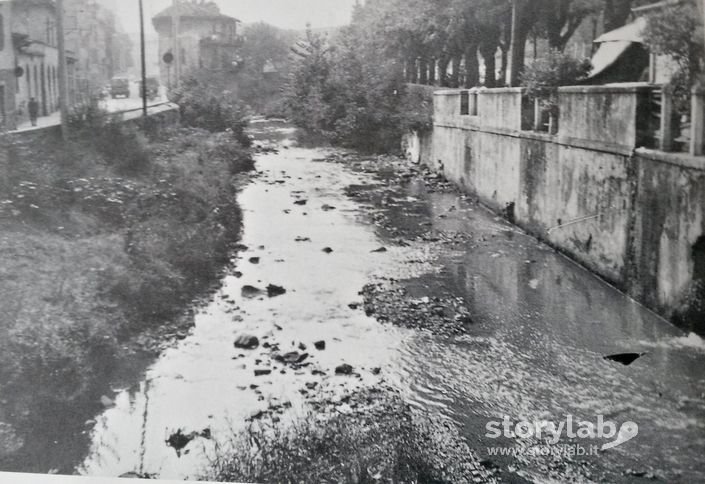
(347, 93)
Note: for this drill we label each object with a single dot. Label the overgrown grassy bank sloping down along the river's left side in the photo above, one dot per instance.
(102, 238)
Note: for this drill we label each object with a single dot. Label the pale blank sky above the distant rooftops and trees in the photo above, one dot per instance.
(289, 14)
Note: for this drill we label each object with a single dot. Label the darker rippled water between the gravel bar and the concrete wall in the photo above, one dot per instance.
(542, 327)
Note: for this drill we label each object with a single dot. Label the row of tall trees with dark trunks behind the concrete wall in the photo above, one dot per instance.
(445, 33)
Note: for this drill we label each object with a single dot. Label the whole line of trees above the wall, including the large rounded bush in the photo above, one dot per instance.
(352, 88)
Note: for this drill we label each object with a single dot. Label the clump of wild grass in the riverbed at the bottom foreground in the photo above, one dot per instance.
(381, 440)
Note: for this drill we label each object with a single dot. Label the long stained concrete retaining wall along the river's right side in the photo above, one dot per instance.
(634, 216)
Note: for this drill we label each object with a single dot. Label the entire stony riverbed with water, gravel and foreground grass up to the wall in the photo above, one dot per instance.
(372, 305)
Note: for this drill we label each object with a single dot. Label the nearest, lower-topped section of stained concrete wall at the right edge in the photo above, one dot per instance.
(667, 224)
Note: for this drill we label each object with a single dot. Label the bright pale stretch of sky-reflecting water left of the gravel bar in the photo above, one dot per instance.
(204, 383)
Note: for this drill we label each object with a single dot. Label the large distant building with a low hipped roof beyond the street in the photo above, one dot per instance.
(199, 34)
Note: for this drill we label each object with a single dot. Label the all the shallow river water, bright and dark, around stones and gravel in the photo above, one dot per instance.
(541, 326)
